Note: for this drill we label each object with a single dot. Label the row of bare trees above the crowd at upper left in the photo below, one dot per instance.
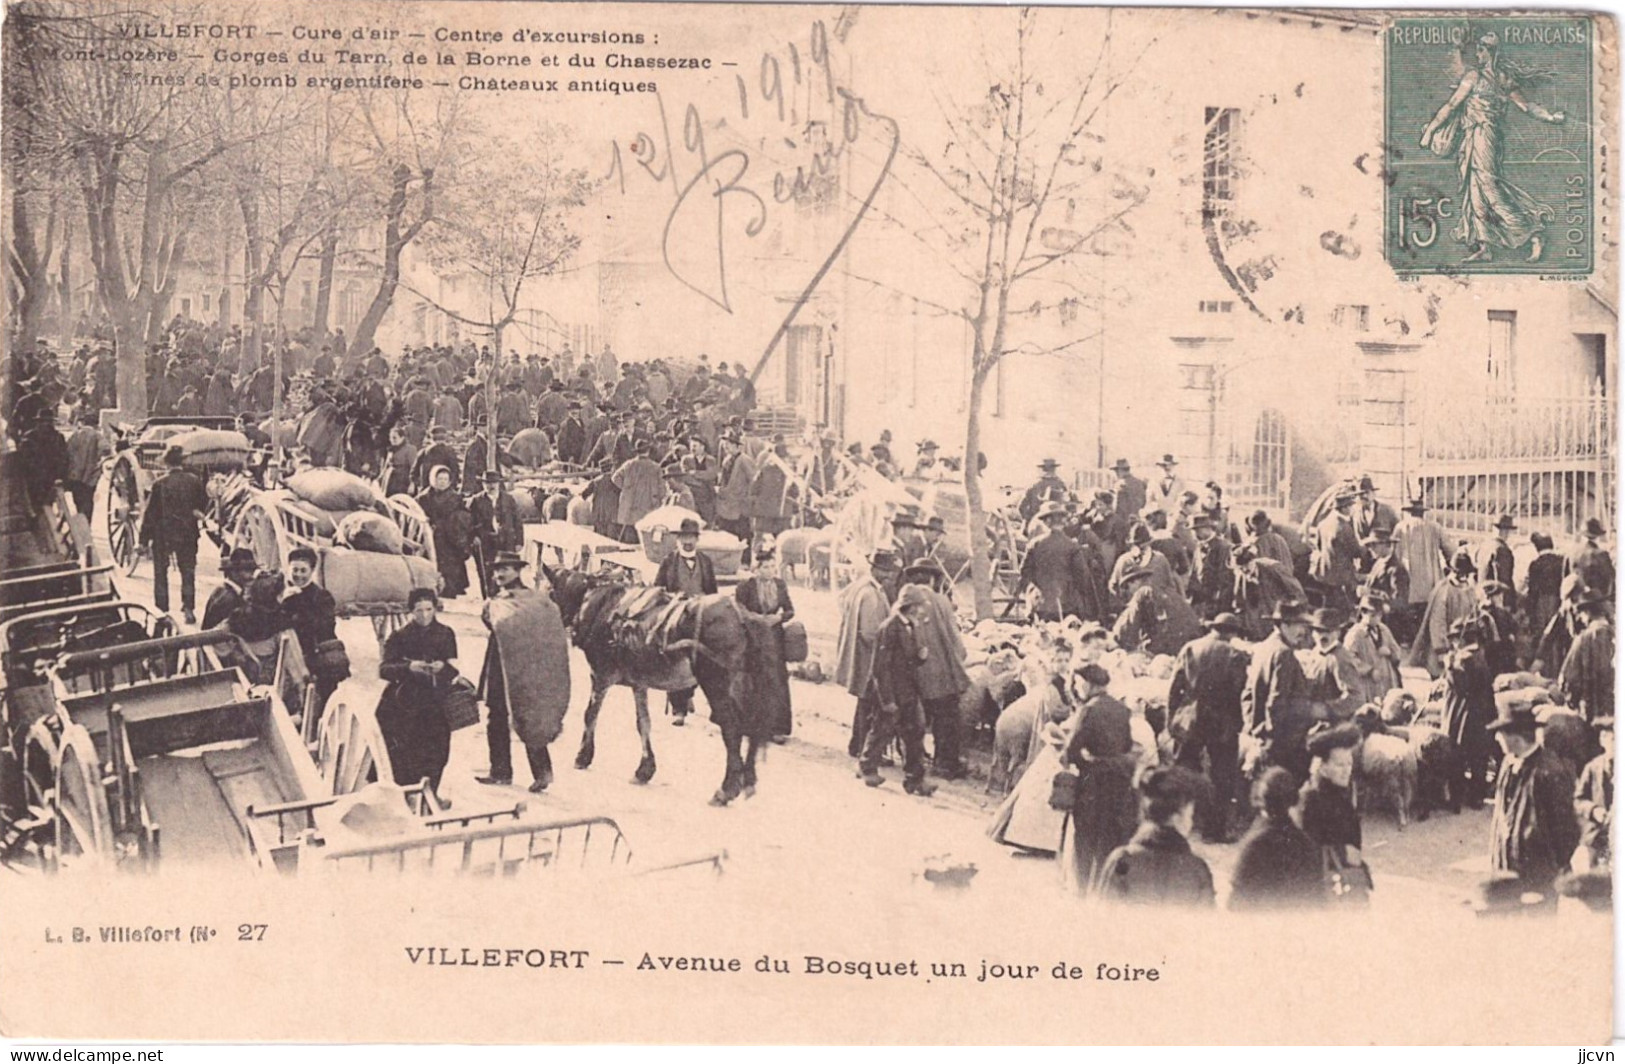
(154, 173)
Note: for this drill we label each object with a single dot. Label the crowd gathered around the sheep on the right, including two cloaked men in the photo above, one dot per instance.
(1286, 655)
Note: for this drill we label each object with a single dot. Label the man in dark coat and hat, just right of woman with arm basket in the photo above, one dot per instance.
(1205, 714)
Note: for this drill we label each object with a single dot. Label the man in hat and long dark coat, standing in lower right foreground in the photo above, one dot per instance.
(1535, 829)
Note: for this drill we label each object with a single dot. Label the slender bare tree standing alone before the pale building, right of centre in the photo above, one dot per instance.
(1013, 170)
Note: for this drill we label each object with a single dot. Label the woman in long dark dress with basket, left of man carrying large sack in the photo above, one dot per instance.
(420, 664)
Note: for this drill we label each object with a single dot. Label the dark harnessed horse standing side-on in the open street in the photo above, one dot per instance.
(649, 639)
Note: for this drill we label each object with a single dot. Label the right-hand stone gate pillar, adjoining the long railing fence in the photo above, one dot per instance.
(1390, 441)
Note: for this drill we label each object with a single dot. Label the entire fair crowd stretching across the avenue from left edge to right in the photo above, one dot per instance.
(1283, 644)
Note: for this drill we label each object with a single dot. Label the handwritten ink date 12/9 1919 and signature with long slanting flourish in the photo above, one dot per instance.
(717, 197)
